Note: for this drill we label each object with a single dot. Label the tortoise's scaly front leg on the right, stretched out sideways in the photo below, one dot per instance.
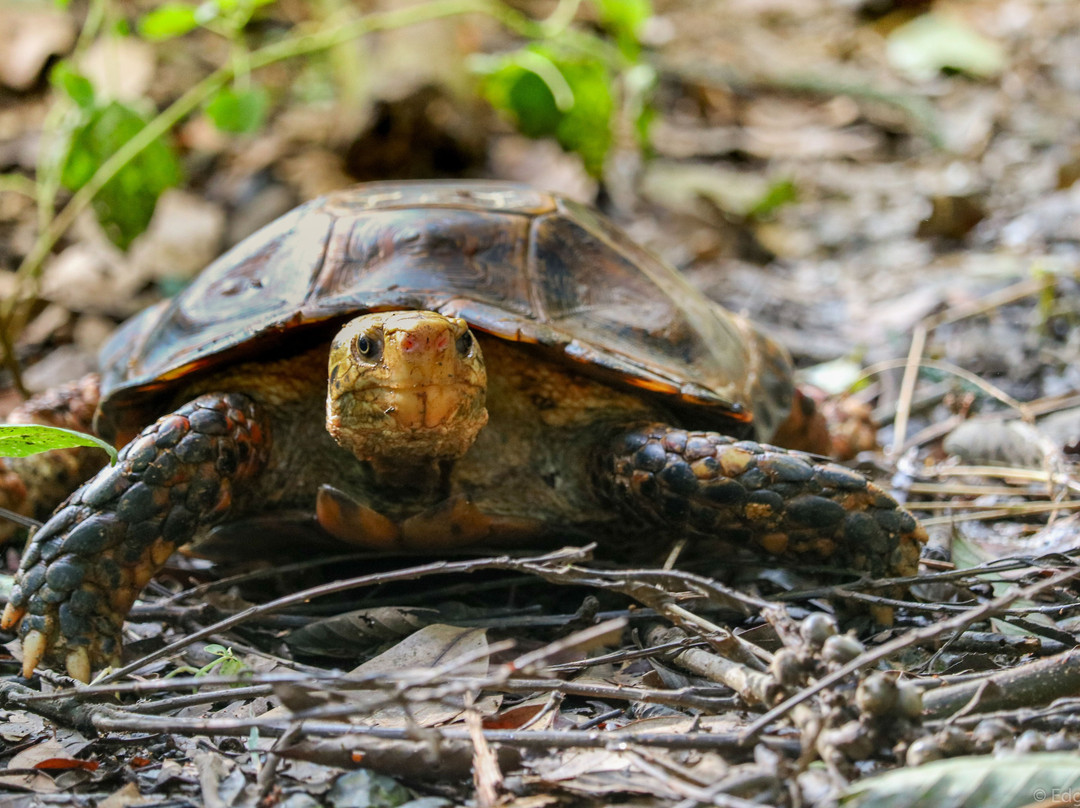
(746, 492)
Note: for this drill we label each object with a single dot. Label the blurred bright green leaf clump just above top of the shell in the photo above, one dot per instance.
(582, 122)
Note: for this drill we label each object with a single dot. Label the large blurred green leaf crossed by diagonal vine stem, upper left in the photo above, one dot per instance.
(127, 203)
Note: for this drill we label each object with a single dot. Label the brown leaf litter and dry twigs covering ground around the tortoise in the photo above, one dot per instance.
(833, 170)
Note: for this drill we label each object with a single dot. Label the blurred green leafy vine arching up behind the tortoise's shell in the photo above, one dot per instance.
(565, 82)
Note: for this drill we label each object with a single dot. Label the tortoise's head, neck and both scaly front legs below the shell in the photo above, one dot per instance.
(404, 408)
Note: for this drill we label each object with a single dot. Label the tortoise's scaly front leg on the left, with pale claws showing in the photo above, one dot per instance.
(84, 569)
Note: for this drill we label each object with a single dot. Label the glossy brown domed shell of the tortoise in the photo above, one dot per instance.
(516, 263)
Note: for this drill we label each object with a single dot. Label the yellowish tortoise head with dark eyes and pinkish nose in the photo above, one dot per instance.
(406, 387)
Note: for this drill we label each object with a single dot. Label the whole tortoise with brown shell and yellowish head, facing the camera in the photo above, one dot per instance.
(429, 366)
